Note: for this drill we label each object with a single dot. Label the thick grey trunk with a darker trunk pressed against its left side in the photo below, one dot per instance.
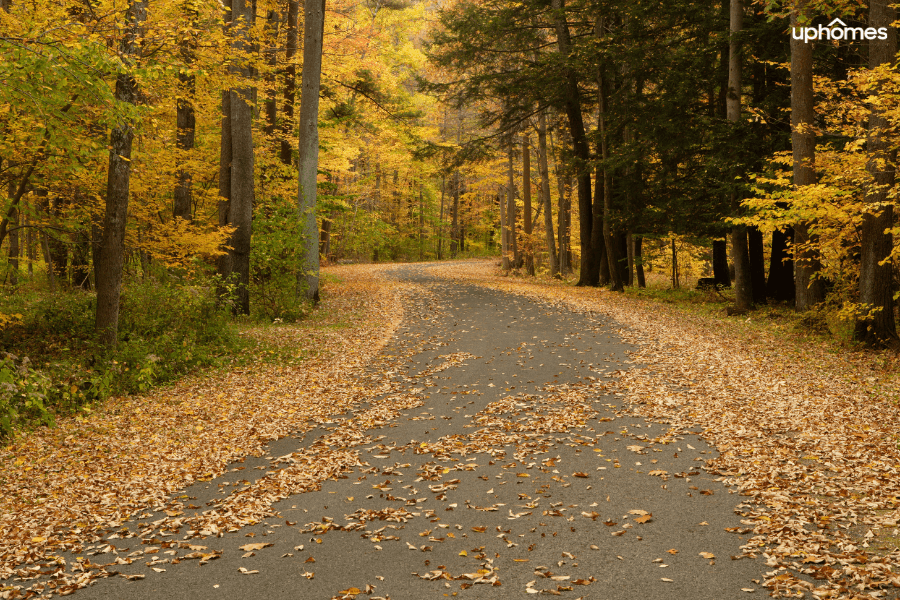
(243, 189)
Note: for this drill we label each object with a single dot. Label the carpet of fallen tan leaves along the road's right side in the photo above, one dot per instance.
(810, 440)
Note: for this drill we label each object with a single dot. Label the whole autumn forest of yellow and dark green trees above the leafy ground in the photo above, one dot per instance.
(173, 170)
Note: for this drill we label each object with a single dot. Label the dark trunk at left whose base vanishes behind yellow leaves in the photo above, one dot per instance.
(186, 121)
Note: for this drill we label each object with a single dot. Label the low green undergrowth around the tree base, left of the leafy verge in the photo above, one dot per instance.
(165, 331)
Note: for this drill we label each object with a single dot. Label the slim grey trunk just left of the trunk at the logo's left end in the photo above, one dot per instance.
(743, 283)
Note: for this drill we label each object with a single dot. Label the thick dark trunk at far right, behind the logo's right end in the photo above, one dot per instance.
(876, 290)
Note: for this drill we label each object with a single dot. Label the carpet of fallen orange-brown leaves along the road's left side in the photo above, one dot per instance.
(65, 487)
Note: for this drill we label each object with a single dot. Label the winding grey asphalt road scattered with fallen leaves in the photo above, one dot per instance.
(549, 490)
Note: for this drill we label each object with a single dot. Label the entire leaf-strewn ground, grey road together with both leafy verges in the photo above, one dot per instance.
(460, 433)
